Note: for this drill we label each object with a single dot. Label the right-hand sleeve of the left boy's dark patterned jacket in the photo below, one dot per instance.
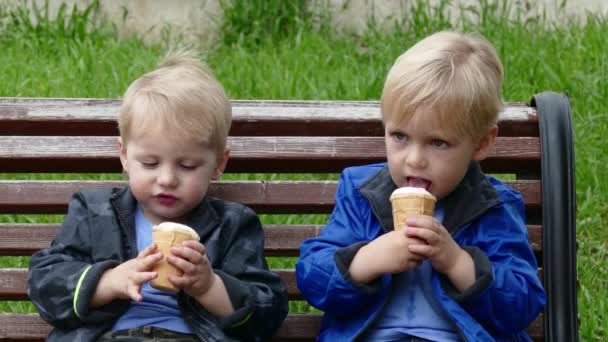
(257, 294)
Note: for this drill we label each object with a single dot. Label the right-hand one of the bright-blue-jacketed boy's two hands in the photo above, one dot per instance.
(443, 252)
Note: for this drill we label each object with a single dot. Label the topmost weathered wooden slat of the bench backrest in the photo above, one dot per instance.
(36, 116)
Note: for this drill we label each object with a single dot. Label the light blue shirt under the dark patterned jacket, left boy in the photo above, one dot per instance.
(158, 308)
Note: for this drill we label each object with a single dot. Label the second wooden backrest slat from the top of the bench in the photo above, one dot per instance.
(248, 154)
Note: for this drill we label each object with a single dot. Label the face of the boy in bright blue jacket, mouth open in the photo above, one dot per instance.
(422, 154)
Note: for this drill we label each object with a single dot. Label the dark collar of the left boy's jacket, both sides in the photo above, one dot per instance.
(204, 218)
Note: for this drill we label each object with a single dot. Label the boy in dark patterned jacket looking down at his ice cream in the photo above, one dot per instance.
(92, 283)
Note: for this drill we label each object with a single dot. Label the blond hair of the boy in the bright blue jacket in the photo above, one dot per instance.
(455, 76)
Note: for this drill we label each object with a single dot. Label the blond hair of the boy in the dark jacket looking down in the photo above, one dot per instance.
(182, 97)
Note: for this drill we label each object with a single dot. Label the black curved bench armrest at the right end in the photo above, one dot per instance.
(559, 215)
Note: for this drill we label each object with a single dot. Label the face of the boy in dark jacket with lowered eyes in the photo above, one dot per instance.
(169, 179)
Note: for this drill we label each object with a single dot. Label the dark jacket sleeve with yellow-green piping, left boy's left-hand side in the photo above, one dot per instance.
(62, 278)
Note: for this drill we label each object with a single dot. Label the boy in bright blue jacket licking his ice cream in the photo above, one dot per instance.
(465, 274)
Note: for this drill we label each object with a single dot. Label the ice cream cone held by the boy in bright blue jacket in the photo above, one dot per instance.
(407, 201)
